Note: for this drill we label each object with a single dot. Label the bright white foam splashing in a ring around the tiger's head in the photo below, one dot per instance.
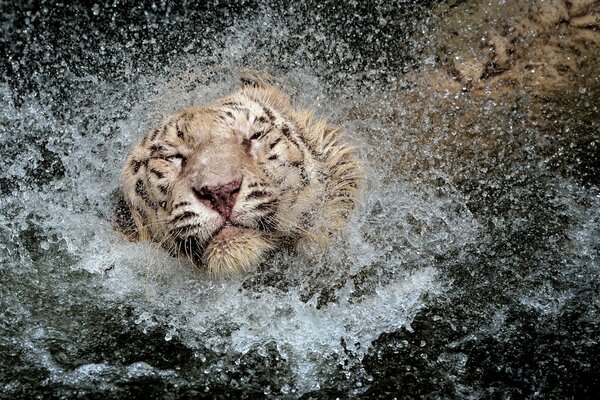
(165, 293)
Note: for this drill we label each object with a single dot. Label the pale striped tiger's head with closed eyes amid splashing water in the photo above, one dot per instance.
(225, 184)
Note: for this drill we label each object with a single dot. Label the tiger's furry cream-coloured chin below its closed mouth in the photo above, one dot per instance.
(234, 250)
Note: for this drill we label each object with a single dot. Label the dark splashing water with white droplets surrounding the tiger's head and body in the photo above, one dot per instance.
(470, 268)
